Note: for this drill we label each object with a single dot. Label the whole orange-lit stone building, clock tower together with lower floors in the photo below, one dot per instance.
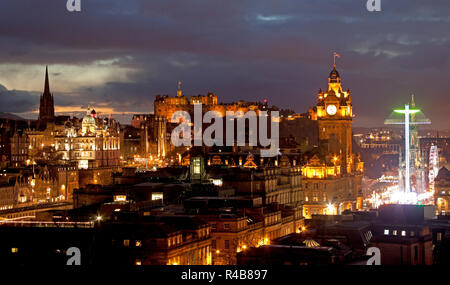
(331, 180)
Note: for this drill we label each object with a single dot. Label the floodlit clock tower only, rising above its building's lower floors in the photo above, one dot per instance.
(334, 115)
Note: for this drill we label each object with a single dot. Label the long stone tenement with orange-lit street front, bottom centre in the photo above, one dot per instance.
(241, 222)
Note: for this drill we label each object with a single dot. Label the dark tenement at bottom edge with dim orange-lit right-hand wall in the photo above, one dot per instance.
(161, 240)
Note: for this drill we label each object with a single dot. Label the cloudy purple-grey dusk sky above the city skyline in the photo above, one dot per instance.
(118, 55)
